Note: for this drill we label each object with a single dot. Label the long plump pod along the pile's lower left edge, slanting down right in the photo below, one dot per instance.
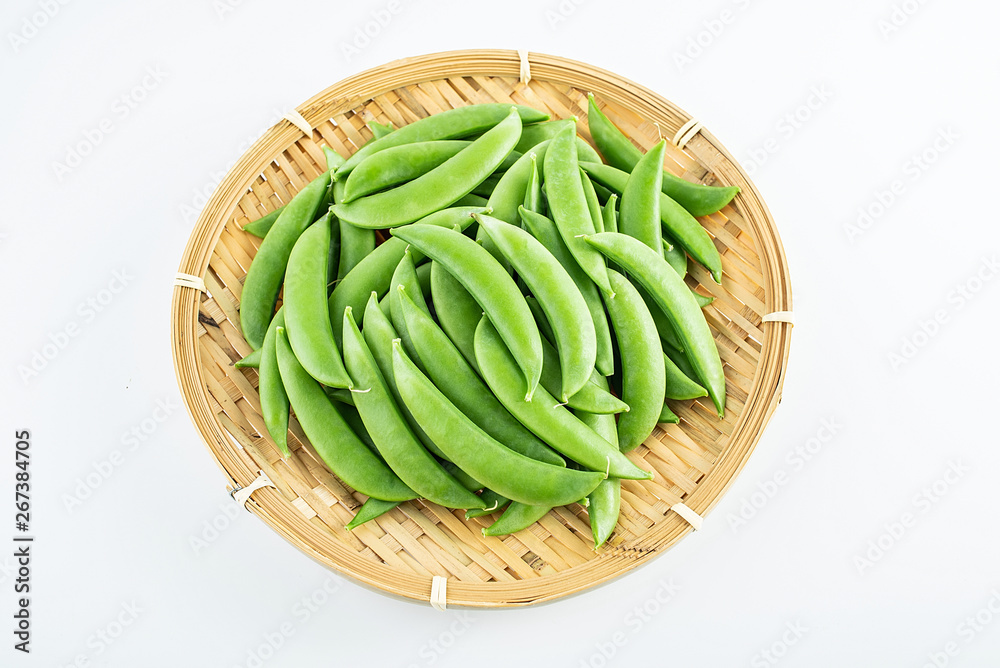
(335, 443)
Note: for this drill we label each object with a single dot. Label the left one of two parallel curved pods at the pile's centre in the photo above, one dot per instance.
(492, 287)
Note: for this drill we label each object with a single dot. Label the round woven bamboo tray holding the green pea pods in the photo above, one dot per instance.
(401, 552)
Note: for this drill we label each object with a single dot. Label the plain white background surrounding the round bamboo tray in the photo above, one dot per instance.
(227, 70)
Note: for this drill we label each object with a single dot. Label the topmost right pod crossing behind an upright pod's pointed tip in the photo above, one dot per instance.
(620, 152)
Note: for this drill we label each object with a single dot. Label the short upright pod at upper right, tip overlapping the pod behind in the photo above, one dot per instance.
(640, 208)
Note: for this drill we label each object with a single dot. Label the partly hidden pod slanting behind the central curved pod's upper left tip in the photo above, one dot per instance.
(374, 272)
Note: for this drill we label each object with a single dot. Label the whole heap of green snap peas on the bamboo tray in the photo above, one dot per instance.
(518, 329)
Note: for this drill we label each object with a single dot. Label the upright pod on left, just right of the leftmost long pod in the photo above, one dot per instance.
(307, 319)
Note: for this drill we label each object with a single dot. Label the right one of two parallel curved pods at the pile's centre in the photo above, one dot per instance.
(559, 297)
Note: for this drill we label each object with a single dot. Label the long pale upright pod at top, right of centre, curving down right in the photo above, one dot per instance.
(568, 205)
